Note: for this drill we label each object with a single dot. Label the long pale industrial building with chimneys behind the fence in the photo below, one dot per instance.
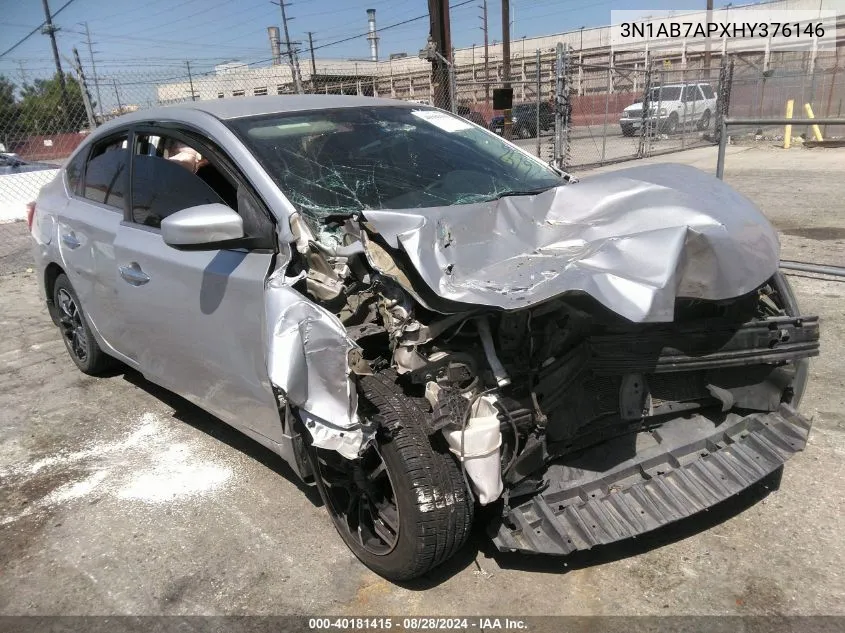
(409, 77)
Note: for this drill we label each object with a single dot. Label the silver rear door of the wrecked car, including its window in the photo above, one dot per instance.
(87, 227)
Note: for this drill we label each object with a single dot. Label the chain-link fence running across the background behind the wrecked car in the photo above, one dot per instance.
(577, 108)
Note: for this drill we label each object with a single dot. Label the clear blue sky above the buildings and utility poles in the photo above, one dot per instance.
(157, 36)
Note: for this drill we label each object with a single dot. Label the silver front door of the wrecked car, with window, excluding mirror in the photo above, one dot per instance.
(194, 319)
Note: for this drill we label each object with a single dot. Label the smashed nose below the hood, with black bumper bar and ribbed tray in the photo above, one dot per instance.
(608, 428)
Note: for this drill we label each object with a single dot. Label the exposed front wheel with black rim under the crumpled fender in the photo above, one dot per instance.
(434, 511)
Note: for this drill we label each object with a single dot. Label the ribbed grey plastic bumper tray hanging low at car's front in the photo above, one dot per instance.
(677, 470)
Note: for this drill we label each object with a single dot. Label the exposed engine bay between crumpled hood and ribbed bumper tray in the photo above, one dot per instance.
(515, 391)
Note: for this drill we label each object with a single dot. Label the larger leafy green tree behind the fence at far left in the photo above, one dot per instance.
(45, 110)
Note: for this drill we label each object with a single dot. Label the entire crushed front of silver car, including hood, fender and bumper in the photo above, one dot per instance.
(598, 368)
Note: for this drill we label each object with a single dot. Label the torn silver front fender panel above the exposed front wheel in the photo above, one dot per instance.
(307, 358)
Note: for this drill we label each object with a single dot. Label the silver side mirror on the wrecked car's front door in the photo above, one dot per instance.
(202, 227)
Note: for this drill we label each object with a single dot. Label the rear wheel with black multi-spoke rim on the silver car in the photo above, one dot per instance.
(76, 333)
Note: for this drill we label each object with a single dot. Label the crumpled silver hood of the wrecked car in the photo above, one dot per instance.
(635, 240)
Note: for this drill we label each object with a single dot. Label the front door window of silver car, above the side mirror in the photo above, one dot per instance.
(169, 175)
